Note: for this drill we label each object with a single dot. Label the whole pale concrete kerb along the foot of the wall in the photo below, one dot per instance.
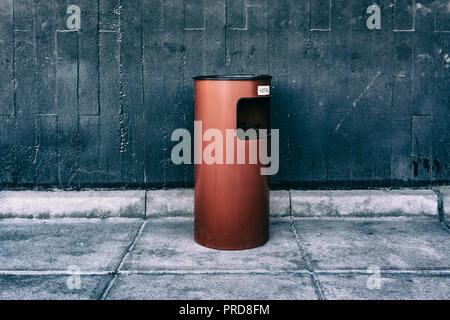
(180, 202)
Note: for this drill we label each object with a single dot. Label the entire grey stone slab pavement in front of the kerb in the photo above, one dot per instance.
(306, 258)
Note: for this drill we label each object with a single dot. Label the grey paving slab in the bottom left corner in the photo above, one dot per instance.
(53, 287)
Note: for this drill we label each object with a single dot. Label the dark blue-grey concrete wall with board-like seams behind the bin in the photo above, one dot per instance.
(97, 107)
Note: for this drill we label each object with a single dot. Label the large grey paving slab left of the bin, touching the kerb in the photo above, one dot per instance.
(91, 245)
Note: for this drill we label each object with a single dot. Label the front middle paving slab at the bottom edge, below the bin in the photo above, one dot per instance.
(214, 286)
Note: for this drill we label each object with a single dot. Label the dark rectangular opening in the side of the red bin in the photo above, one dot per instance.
(253, 113)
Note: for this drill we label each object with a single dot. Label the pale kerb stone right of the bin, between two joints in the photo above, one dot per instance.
(374, 203)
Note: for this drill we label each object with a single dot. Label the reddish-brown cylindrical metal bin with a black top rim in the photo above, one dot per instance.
(231, 200)
